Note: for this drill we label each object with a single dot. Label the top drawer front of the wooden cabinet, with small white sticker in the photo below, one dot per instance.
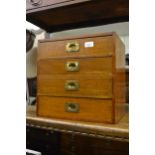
(88, 47)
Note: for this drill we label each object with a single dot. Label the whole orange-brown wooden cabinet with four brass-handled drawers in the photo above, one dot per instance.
(82, 78)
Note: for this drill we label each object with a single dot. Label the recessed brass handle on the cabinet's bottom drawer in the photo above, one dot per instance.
(72, 107)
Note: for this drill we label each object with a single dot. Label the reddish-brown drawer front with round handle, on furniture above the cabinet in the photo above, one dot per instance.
(34, 4)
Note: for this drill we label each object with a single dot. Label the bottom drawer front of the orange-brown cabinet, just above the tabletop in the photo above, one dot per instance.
(75, 108)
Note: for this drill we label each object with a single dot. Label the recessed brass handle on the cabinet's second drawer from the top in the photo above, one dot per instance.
(72, 66)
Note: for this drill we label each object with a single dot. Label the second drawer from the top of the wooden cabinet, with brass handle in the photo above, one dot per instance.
(75, 66)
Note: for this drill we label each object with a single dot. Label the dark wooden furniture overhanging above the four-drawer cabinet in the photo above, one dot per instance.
(57, 15)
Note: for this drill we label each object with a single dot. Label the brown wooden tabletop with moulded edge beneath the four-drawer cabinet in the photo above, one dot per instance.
(118, 131)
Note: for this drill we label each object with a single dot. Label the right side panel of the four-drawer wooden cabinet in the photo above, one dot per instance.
(119, 79)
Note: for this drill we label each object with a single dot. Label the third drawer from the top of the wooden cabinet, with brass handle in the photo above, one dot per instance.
(88, 85)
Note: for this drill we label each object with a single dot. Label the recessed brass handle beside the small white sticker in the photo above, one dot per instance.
(72, 47)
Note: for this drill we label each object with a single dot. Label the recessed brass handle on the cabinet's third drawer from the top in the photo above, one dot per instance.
(71, 85)
